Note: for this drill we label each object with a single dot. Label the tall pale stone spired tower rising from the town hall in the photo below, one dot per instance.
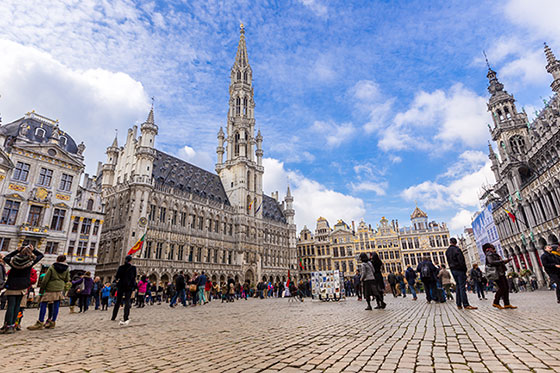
(241, 172)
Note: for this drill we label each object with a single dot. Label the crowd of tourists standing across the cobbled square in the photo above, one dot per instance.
(55, 285)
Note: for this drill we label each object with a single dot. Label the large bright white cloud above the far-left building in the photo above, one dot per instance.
(90, 104)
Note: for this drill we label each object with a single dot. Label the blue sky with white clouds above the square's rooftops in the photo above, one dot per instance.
(365, 106)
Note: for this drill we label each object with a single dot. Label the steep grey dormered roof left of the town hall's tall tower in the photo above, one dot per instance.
(174, 172)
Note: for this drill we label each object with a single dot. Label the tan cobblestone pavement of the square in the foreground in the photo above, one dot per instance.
(277, 335)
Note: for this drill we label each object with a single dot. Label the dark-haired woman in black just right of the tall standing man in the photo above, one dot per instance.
(496, 271)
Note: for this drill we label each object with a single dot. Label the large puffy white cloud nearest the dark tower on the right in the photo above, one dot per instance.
(438, 121)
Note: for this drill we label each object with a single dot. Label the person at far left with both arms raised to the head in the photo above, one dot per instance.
(21, 262)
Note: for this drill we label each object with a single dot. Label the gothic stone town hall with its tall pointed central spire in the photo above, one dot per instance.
(196, 220)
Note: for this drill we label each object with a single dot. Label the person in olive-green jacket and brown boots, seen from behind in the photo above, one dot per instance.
(52, 286)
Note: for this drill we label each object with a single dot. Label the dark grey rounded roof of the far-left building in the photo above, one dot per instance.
(31, 125)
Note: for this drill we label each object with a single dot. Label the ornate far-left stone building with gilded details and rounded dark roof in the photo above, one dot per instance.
(43, 203)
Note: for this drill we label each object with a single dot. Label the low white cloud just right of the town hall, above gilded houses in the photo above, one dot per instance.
(311, 199)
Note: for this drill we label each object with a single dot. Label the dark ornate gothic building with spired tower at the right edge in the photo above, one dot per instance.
(527, 172)
